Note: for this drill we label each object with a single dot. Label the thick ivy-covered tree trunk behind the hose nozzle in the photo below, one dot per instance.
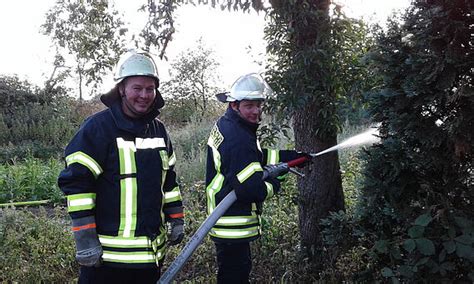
(310, 84)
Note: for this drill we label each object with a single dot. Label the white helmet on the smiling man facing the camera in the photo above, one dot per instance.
(135, 63)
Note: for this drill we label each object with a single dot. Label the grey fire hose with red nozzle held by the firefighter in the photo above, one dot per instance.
(269, 171)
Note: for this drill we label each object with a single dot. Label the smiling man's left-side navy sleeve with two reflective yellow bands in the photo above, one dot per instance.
(85, 156)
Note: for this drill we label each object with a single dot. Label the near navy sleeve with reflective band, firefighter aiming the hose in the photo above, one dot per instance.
(247, 173)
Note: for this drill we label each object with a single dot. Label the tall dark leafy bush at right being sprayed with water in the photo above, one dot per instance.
(413, 221)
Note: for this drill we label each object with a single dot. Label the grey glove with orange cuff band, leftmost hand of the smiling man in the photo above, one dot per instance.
(88, 247)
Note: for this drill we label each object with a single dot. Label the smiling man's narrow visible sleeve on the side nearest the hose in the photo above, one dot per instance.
(173, 205)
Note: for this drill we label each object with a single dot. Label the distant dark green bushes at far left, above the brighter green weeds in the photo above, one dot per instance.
(38, 122)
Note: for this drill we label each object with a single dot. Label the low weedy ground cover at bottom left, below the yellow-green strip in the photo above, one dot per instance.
(36, 247)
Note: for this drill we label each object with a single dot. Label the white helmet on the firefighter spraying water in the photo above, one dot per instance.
(248, 87)
